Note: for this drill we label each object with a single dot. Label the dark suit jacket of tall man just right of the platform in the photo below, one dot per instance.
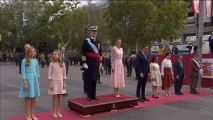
(142, 64)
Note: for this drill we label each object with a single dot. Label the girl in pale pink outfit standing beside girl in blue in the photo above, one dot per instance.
(57, 82)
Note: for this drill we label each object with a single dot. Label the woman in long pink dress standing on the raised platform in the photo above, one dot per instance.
(117, 76)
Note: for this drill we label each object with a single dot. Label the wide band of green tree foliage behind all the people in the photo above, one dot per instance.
(43, 25)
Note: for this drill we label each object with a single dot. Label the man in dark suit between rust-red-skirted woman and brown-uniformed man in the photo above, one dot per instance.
(178, 74)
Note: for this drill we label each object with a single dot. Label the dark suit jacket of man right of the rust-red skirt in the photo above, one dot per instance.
(178, 69)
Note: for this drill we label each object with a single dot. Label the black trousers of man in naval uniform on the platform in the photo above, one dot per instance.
(91, 89)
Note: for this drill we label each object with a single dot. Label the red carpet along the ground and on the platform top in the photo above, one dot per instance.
(71, 115)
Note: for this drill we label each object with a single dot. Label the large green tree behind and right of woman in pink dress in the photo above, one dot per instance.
(144, 21)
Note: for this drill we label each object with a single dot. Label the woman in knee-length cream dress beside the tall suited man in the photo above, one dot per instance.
(155, 76)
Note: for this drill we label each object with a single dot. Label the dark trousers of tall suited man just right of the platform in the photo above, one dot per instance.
(141, 86)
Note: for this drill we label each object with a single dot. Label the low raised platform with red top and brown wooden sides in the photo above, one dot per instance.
(105, 103)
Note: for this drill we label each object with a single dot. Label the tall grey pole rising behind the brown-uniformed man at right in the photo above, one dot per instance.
(200, 35)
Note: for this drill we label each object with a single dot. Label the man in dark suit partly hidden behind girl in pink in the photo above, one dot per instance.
(65, 59)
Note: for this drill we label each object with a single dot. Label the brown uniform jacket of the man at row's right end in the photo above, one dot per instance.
(194, 69)
